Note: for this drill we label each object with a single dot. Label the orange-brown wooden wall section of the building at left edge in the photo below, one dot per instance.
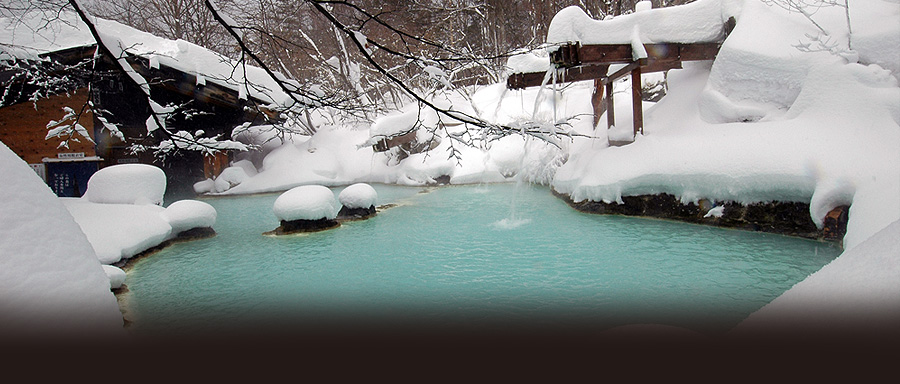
(23, 129)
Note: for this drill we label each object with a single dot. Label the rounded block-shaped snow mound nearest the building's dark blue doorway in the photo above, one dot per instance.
(127, 184)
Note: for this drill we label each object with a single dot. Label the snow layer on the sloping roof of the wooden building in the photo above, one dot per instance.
(28, 36)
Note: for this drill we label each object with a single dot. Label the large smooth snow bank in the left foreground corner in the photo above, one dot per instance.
(50, 281)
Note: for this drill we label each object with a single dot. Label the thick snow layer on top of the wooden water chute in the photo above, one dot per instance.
(700, 21)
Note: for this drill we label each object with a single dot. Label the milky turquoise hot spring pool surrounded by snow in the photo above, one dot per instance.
(489, 254)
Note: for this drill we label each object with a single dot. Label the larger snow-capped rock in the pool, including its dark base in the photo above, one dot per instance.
(306, 208)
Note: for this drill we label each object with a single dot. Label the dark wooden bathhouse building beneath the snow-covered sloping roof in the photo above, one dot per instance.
(203, 106)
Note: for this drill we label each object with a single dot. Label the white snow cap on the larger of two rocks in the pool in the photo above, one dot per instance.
(308, 202)
